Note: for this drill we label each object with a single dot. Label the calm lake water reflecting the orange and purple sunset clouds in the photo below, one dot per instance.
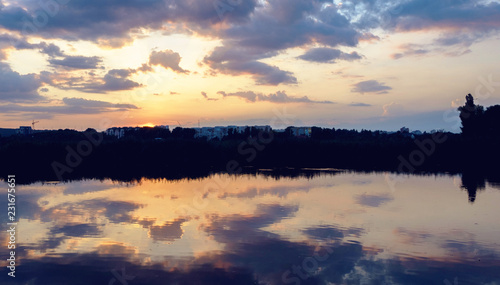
(347, 228)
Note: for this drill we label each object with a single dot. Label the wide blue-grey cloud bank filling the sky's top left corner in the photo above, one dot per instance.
(113, 23)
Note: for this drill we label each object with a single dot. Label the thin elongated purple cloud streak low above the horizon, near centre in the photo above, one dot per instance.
(278, 97)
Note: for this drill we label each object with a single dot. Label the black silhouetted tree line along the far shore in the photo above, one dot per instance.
(158, 152)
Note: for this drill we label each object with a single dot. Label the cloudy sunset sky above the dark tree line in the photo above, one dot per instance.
(367, 64)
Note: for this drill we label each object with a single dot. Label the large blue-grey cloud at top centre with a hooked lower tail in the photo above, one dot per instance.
(279, 25)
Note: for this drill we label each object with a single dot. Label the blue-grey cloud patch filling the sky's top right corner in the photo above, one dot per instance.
(414, 15)
